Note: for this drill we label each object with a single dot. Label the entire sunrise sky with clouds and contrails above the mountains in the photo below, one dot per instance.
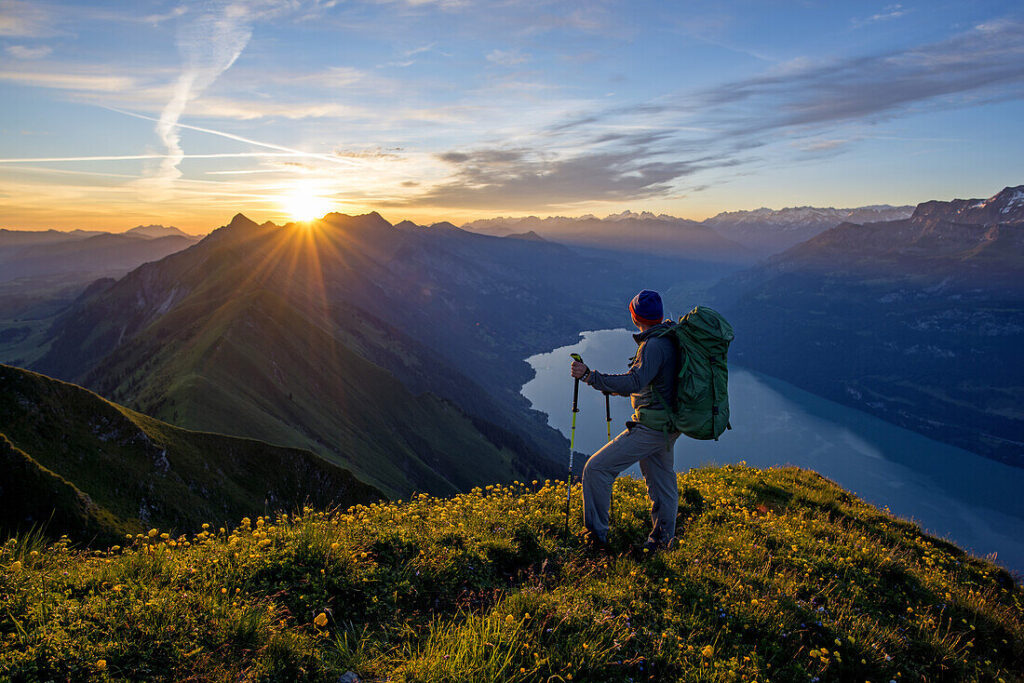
(119, 114)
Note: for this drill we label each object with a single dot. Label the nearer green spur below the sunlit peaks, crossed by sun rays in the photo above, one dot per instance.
(294, 382)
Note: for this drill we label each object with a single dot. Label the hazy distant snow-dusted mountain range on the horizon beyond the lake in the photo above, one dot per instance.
(730, 237)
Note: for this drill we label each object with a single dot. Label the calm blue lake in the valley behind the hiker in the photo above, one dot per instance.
(953, 494)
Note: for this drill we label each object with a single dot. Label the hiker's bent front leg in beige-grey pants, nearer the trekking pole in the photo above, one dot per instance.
(601, 472)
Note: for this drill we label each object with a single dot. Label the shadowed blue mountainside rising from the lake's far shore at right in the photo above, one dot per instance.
(919, 321)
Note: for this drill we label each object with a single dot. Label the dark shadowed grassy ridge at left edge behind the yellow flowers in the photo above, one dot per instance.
(105, 471)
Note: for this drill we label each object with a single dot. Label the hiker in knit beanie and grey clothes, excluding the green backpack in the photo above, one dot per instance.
(656, 365)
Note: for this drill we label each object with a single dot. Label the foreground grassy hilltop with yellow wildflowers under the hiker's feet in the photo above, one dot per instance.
(779, 575)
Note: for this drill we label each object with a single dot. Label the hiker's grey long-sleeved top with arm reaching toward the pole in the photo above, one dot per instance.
(657, 363)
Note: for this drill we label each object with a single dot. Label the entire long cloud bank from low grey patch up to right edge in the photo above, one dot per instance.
(645, 151)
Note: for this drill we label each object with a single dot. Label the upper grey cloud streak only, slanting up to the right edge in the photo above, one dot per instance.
(803, 97)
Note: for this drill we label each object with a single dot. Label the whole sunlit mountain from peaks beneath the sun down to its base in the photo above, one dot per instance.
(208, 340)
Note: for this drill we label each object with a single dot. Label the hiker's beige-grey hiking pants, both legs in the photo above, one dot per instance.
(654, 452)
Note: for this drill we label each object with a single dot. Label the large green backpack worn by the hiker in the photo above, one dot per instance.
(702, 407)
